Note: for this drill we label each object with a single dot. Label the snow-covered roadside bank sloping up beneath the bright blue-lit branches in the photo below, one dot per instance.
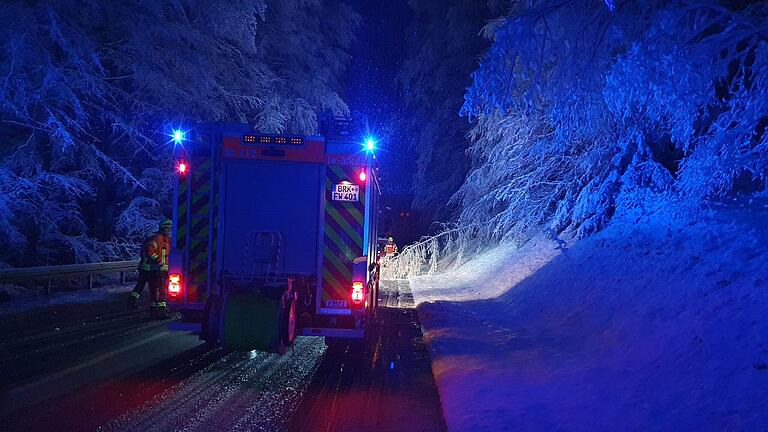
(647, 325)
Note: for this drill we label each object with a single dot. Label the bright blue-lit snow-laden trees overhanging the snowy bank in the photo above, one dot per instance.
(583, 107)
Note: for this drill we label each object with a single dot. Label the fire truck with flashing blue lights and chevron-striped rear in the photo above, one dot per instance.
(275, 235)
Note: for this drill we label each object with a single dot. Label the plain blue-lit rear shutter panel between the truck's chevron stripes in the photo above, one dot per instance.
(269, 226)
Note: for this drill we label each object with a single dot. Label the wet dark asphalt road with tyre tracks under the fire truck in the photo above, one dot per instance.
(74, 369)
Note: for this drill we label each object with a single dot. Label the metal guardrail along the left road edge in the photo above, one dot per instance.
(51, 273)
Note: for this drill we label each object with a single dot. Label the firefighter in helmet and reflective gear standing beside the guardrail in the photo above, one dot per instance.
(153, 269)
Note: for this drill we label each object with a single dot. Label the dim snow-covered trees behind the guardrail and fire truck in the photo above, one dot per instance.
(87, 90)
